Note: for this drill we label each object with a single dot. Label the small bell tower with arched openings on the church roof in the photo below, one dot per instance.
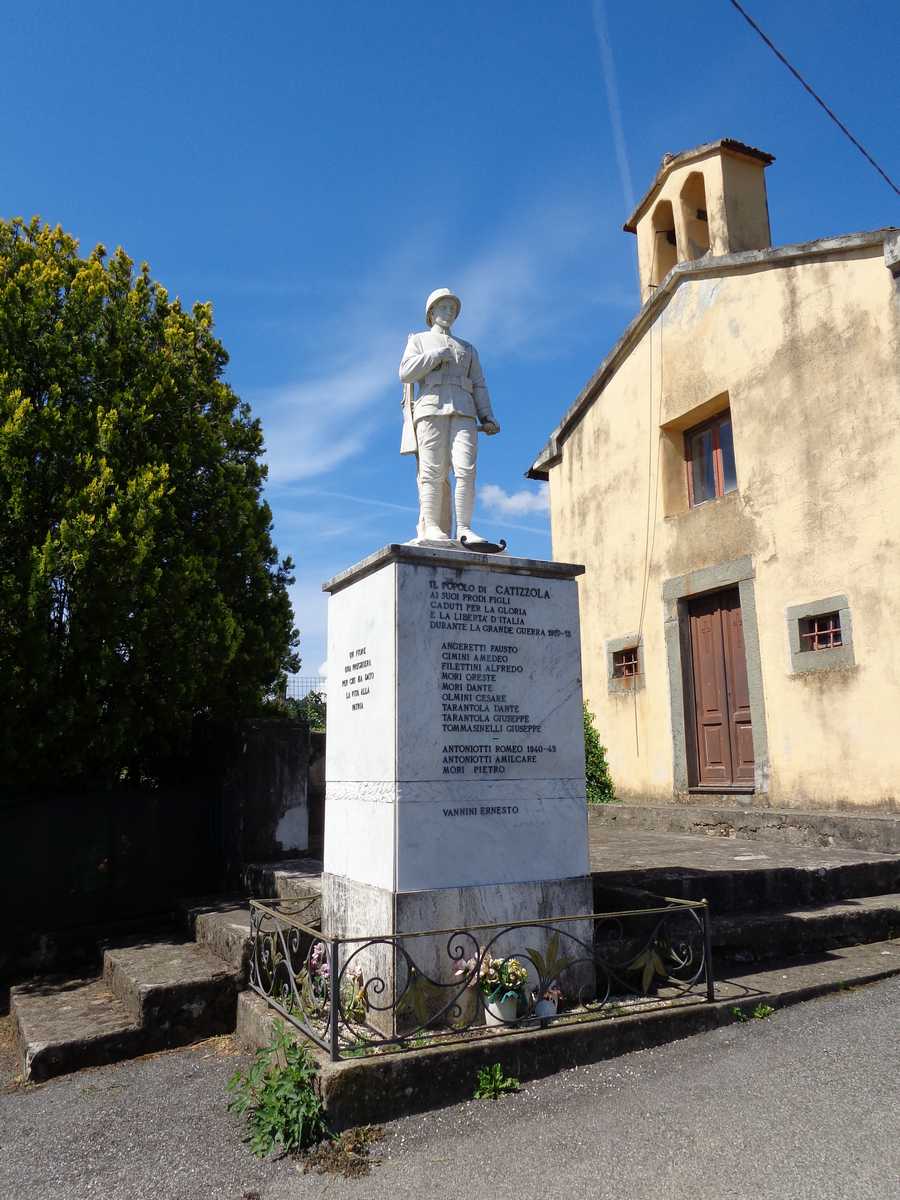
(706, 201)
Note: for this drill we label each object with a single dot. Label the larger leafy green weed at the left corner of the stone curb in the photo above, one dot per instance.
(279, 1097)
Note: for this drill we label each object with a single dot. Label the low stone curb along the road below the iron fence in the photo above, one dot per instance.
(379, 1089)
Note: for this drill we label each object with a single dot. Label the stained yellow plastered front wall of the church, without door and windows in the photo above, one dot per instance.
(808, 358)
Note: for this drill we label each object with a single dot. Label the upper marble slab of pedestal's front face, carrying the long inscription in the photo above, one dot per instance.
(495, 671)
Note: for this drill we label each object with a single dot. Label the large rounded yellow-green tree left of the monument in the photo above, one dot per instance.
(140, 586)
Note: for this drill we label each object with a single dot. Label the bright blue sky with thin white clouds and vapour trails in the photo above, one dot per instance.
(316, 170)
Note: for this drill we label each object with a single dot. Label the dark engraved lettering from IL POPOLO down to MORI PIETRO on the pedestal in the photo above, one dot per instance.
(487, 634)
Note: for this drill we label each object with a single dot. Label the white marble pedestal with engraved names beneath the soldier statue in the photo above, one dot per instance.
(455, 754)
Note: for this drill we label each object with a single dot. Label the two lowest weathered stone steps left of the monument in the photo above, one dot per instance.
(152, 997)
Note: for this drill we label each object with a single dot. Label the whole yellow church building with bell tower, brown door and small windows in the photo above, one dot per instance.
(730, 477)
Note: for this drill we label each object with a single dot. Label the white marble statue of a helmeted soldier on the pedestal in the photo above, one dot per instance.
(442, 419)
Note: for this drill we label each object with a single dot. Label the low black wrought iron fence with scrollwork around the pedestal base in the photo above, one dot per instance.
(374, 995)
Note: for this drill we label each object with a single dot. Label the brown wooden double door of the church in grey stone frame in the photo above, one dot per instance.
(724, 734)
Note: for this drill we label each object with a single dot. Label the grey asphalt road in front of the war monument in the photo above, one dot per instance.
(801, 1106)
